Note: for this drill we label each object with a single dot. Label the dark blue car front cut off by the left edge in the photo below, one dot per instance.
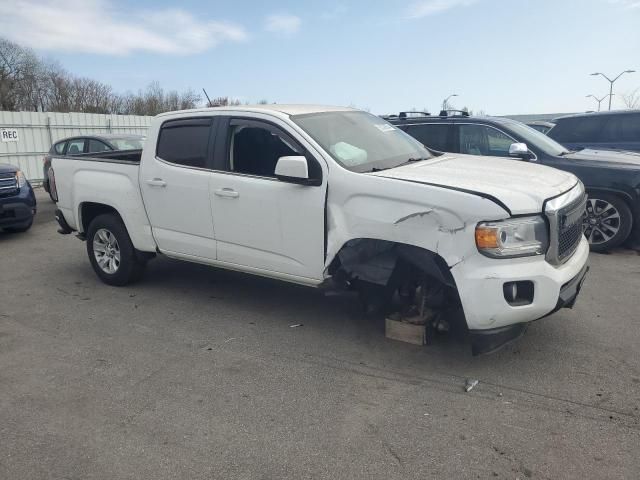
(17, 200)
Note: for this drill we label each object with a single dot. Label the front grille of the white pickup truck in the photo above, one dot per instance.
(566, 230)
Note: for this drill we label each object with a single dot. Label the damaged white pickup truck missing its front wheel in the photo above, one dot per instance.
(334, 196)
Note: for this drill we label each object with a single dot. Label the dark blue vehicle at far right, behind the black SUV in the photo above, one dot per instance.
(616, 130)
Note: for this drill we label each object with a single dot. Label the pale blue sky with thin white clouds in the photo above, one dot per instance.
(499, 56)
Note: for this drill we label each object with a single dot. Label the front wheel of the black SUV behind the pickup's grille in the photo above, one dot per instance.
(607, 221)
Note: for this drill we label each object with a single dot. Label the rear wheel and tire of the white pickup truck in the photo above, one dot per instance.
(111, 253)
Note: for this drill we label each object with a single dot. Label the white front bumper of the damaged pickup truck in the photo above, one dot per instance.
(480, 281)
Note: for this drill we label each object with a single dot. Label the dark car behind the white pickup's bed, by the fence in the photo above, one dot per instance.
(89, 144)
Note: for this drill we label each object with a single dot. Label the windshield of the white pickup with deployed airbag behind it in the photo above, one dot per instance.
(361, 142)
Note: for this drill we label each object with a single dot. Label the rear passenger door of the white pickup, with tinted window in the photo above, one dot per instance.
(175, 187)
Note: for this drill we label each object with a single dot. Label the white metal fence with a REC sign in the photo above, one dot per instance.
(28, 136)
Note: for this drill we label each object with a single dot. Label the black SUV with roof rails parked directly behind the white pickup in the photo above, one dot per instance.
(612, 179)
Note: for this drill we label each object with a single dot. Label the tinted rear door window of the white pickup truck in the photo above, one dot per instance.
(186, 142)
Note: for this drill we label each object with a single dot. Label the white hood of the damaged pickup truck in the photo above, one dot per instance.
(521, 187)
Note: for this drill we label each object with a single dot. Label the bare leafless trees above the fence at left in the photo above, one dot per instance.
(30, 83)
